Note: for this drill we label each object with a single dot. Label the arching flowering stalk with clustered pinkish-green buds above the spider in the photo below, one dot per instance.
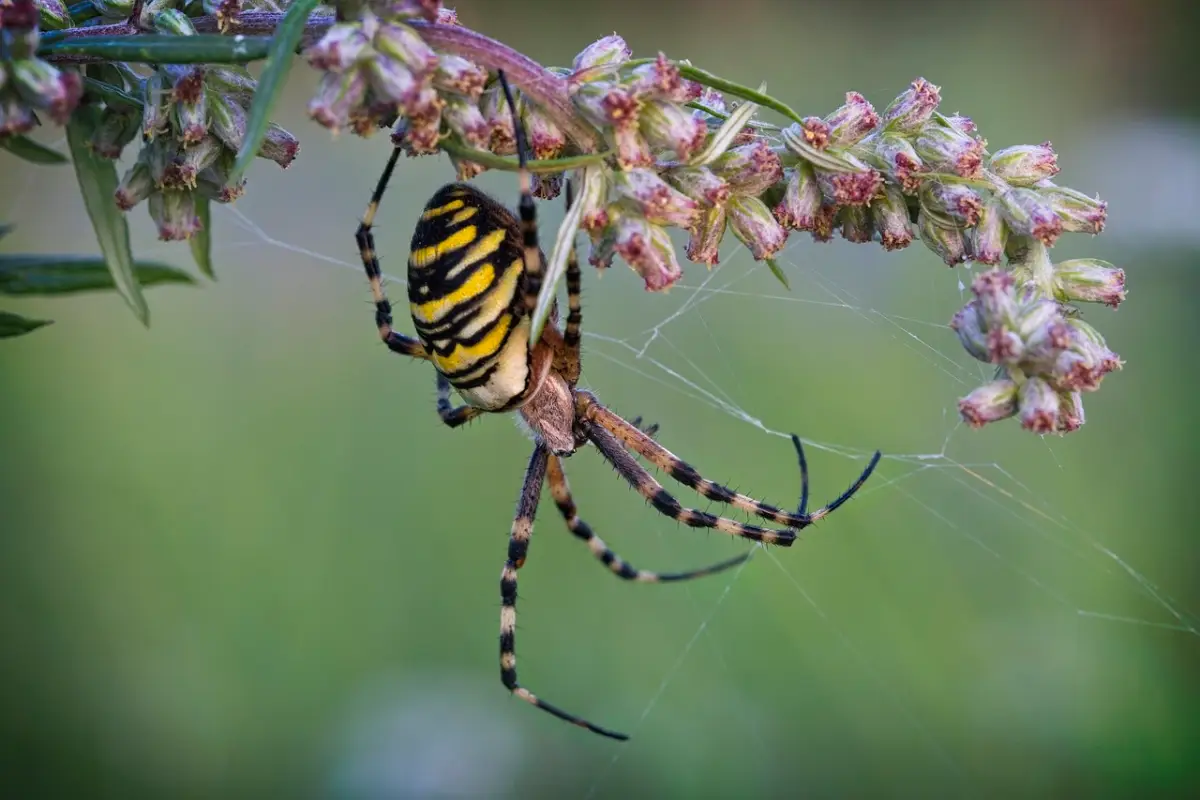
(655, 145)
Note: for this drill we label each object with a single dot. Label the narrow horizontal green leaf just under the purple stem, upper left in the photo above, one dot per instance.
(155, 49)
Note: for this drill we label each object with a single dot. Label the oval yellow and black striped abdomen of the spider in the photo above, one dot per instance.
(465, 274)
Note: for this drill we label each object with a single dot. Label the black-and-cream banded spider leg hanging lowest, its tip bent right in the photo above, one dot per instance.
(519, 549)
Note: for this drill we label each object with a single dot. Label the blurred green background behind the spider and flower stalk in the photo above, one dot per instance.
(243, 558)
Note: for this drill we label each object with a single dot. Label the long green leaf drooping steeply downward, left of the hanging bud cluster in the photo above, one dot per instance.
(98, 182)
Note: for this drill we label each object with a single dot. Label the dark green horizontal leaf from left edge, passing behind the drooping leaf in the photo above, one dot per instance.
(53, 275)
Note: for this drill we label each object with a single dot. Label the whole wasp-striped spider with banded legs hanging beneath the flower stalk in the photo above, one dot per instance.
(475, 274)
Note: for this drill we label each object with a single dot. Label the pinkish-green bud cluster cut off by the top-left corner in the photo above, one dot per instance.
(29, 87)
